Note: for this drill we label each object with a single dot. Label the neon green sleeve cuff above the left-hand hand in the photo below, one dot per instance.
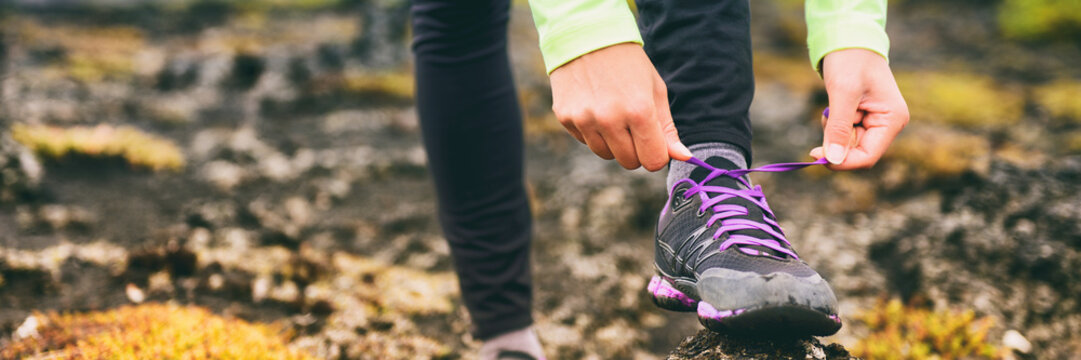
(572, 29)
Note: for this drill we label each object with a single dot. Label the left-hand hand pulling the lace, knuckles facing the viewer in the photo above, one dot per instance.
(613, 101)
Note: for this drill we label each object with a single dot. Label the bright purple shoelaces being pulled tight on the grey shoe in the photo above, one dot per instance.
(725, 212)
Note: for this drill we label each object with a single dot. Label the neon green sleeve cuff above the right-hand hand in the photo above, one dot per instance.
(845, 24)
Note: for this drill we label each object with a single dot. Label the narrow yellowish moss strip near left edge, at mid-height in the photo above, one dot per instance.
(138, 149)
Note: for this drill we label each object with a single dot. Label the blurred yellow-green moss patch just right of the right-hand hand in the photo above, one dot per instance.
(962, 100)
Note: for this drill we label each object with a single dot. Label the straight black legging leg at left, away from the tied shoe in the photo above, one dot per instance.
(473, 132)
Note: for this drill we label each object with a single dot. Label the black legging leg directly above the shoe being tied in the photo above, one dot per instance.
(702, 49)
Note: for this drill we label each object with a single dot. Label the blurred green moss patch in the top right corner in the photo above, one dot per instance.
(1040, 20)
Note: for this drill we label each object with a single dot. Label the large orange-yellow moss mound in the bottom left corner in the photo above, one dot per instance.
(152, 331)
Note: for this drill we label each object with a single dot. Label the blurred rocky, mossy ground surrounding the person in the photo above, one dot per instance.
(248, 177)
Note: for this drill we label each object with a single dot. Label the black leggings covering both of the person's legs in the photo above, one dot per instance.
(473, 127)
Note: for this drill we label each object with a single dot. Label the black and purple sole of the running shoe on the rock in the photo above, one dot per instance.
(783, 321)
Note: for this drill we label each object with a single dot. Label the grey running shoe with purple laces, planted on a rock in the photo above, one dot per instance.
(722, 254)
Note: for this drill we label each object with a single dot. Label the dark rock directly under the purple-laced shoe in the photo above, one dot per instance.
(708, 345)
